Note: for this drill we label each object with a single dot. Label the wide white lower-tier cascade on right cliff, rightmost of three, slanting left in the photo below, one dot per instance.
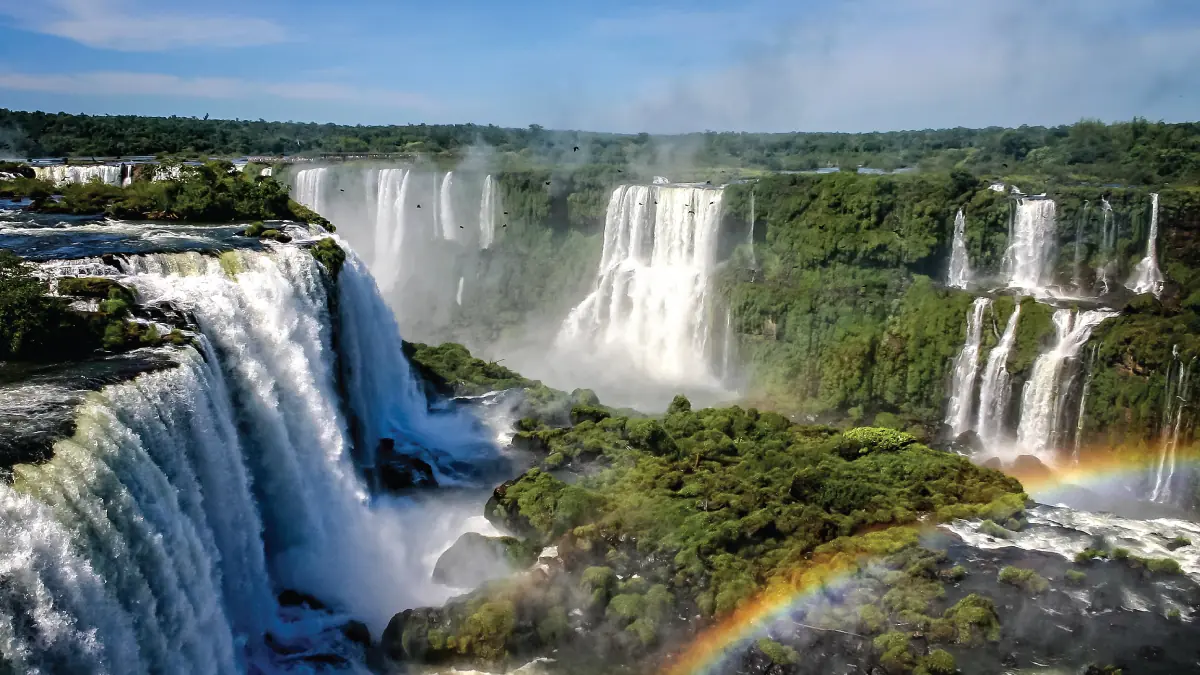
(1046, 392)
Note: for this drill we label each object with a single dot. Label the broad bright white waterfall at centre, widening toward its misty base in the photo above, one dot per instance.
(652, 294)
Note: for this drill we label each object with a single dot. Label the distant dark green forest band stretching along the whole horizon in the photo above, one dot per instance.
(1137, 152)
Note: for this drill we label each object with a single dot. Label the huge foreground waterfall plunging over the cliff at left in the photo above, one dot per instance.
(158, 536)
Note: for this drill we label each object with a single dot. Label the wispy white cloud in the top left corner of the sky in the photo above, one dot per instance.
(130, 26)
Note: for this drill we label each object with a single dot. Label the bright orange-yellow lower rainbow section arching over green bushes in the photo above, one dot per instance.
(830, 571)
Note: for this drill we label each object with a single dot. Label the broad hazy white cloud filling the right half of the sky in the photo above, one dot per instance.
(919, 64)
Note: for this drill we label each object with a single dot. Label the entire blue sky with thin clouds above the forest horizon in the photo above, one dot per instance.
(621, 65)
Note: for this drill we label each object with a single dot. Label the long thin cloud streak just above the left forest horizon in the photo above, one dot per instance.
(110, 83)
